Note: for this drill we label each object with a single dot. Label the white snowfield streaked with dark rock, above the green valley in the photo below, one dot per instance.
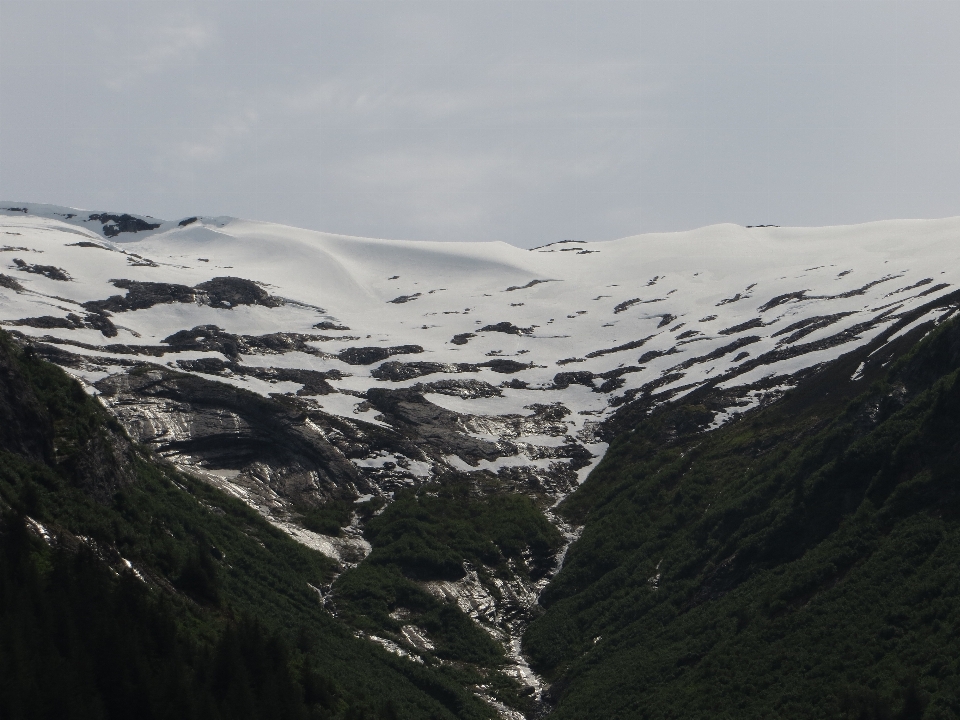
(520, 355)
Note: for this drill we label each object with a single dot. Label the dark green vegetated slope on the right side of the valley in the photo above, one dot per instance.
(801, 562)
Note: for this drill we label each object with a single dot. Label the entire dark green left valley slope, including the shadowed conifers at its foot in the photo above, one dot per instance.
(78, 641)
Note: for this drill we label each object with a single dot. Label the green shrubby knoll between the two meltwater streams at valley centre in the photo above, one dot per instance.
(429, 534)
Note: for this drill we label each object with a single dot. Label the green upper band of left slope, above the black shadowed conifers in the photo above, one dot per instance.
(224, 560)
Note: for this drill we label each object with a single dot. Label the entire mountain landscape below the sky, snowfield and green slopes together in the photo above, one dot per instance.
(700, 474)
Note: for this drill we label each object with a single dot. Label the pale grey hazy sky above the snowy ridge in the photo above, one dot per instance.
(526, 121)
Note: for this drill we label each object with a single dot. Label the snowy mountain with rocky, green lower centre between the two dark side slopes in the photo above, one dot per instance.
(362, 395)
